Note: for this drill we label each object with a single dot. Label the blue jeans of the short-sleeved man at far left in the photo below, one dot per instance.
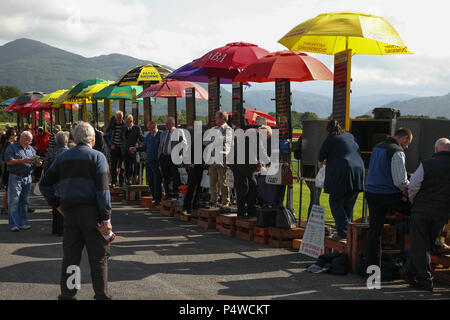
(19, 189)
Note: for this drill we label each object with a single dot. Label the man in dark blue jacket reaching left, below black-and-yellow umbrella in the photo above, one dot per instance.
(151, 147)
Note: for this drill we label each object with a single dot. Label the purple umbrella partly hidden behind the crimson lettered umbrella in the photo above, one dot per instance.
(198, 74)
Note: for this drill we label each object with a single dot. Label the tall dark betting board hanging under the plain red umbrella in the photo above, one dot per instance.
(283, 107)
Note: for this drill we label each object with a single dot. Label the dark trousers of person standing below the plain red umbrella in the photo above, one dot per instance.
(246, 189)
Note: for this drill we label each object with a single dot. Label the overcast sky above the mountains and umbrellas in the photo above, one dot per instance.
(174, 32)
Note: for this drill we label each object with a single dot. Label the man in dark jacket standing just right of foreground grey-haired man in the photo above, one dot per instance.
(113, 139)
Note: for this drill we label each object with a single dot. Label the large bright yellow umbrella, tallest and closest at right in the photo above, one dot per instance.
(330, 33)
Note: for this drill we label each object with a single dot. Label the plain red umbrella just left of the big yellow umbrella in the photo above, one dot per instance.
(292, 65)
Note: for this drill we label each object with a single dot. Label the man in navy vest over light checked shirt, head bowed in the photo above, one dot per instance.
(385, 183)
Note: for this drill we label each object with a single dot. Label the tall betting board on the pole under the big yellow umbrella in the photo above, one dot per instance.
(341, 88)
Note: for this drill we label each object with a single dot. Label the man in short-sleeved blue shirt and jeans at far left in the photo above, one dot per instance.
(20, 158)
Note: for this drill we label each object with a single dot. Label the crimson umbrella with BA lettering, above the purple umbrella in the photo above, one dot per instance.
(236, 55)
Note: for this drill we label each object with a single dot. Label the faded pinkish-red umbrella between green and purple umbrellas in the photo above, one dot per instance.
(173, 88)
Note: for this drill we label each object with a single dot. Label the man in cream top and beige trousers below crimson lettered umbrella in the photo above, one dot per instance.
(217, 171)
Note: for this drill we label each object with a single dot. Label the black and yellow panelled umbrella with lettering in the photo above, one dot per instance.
(143, 75)
